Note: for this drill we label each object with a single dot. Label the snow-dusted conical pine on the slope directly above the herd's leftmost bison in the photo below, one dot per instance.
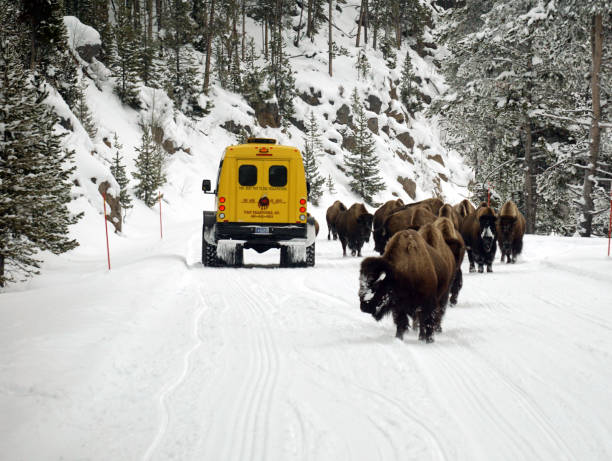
(362, 163)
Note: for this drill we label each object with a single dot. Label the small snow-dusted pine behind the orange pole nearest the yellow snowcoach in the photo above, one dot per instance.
(149, 169)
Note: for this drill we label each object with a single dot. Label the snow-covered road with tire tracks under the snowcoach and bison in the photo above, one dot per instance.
(164, 359)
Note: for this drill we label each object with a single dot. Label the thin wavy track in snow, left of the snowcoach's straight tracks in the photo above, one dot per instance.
(170, 388)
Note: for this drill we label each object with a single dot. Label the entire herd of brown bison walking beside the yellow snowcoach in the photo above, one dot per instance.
(422, 246)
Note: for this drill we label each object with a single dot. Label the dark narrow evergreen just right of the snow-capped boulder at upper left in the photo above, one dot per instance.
(125, 58)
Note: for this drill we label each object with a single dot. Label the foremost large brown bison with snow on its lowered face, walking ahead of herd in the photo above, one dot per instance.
(403, 281)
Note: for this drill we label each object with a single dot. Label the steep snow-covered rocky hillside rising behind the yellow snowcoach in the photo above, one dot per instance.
(197, 145)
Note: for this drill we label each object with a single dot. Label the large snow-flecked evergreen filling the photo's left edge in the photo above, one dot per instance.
(34, 178)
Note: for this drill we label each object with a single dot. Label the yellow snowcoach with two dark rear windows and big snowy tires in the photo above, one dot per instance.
(261, 203)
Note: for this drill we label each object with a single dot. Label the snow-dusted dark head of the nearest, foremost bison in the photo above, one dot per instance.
(375, 287)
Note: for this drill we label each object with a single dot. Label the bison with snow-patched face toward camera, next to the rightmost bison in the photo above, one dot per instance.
(478, 231)
